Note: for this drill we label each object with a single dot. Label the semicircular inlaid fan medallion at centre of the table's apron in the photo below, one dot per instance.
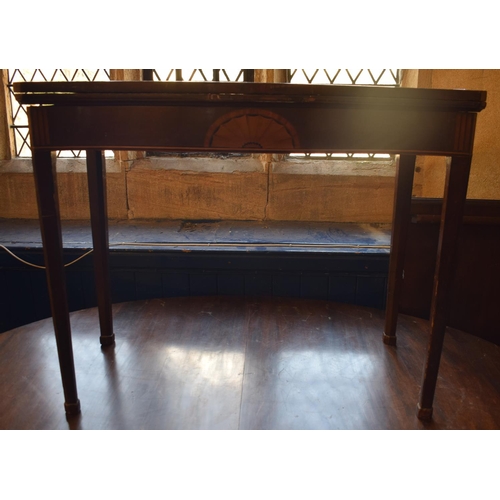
(252, 129)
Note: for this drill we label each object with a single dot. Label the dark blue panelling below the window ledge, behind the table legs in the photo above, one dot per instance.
(136, 275)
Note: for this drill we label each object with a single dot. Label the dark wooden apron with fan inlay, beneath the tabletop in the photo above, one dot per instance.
(271, 129)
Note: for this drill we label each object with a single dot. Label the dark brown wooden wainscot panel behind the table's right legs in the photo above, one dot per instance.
(476, 286)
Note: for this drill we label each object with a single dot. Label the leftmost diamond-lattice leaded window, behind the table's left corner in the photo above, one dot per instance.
(19, 118)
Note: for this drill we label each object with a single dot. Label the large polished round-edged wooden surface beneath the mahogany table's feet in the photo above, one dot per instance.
(246, 363)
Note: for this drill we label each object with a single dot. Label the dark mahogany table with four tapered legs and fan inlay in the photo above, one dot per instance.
(252, 118)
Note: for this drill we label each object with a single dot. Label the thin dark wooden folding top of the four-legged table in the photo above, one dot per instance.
(220, 92)
